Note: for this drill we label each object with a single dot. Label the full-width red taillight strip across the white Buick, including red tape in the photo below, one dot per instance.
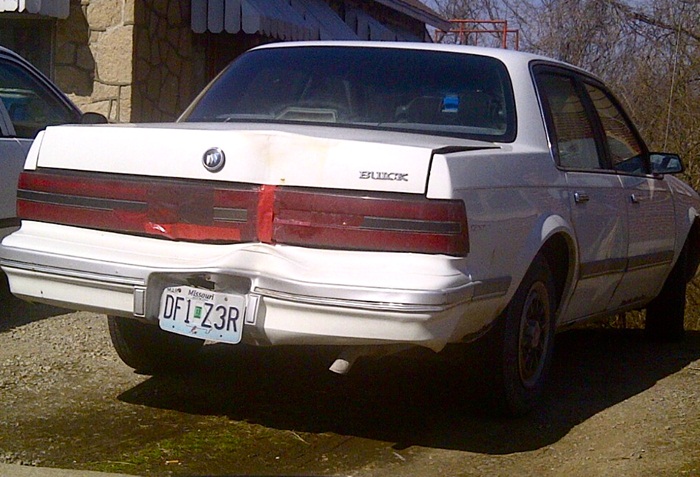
(216, 212)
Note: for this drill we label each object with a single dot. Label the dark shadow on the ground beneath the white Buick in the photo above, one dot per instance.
(415, 401)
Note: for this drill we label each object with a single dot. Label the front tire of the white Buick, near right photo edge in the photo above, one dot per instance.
(665, 314)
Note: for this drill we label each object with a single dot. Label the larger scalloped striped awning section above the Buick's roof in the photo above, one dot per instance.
(282, 19)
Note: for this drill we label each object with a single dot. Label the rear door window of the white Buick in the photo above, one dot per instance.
(573, 138)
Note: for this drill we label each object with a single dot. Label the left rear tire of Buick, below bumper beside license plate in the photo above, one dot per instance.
(150, 350)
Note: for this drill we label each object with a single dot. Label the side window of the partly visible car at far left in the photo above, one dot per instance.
(30, 105)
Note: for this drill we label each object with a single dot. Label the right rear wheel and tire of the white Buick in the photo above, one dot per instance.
(523, 342)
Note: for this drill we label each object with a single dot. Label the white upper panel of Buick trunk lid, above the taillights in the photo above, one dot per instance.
(252, 156)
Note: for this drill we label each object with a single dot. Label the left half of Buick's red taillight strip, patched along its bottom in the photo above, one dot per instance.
(172, 209)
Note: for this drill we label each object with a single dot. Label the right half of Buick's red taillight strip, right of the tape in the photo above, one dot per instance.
(378, 222)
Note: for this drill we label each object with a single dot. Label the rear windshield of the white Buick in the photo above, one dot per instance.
(419, 91)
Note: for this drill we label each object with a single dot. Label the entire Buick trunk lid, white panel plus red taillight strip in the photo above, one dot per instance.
(341, 191)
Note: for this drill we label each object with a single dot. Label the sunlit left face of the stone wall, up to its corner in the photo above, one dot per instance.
(94, 56)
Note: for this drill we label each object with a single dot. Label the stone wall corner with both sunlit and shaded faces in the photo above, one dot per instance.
(132, 61)
